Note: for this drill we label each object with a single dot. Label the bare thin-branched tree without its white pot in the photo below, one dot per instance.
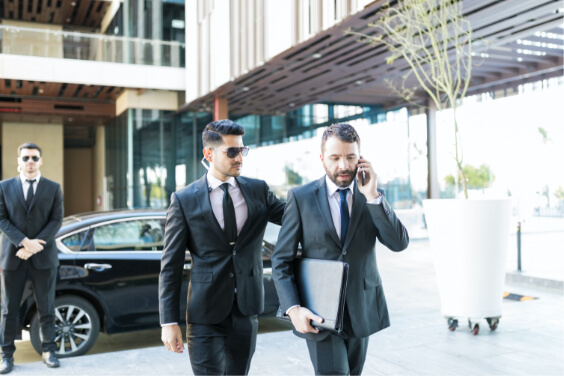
(434, 39)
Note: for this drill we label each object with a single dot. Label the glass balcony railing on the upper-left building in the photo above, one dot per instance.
(96, 47)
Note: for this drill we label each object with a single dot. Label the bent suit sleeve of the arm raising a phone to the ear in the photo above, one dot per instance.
(391, 231)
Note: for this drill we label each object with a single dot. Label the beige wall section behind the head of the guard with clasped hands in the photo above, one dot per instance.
(50, 139)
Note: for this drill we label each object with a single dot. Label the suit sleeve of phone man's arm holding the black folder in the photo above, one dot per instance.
(284, 254)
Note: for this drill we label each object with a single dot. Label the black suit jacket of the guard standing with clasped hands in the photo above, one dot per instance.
(41, 220)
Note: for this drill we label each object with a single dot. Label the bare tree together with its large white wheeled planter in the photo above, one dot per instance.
(468, 237)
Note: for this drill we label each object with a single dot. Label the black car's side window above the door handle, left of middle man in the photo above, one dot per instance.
(140, 234)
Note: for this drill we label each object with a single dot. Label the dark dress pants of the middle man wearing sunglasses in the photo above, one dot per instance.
(225, 348)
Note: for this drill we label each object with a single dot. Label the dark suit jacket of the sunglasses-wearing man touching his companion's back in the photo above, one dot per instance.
(217, 268)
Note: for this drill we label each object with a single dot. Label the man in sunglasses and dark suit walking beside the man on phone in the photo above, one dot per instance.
(220, 219)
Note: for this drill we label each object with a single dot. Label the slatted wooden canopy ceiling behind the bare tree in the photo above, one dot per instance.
(346, 69)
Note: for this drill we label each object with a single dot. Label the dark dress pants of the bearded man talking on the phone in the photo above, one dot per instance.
(339, 354)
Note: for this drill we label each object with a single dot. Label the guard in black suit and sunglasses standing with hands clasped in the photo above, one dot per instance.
(31, 213)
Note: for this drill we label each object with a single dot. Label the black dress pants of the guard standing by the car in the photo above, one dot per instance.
(13, 283)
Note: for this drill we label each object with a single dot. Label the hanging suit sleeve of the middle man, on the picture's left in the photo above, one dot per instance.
(172, 262)
